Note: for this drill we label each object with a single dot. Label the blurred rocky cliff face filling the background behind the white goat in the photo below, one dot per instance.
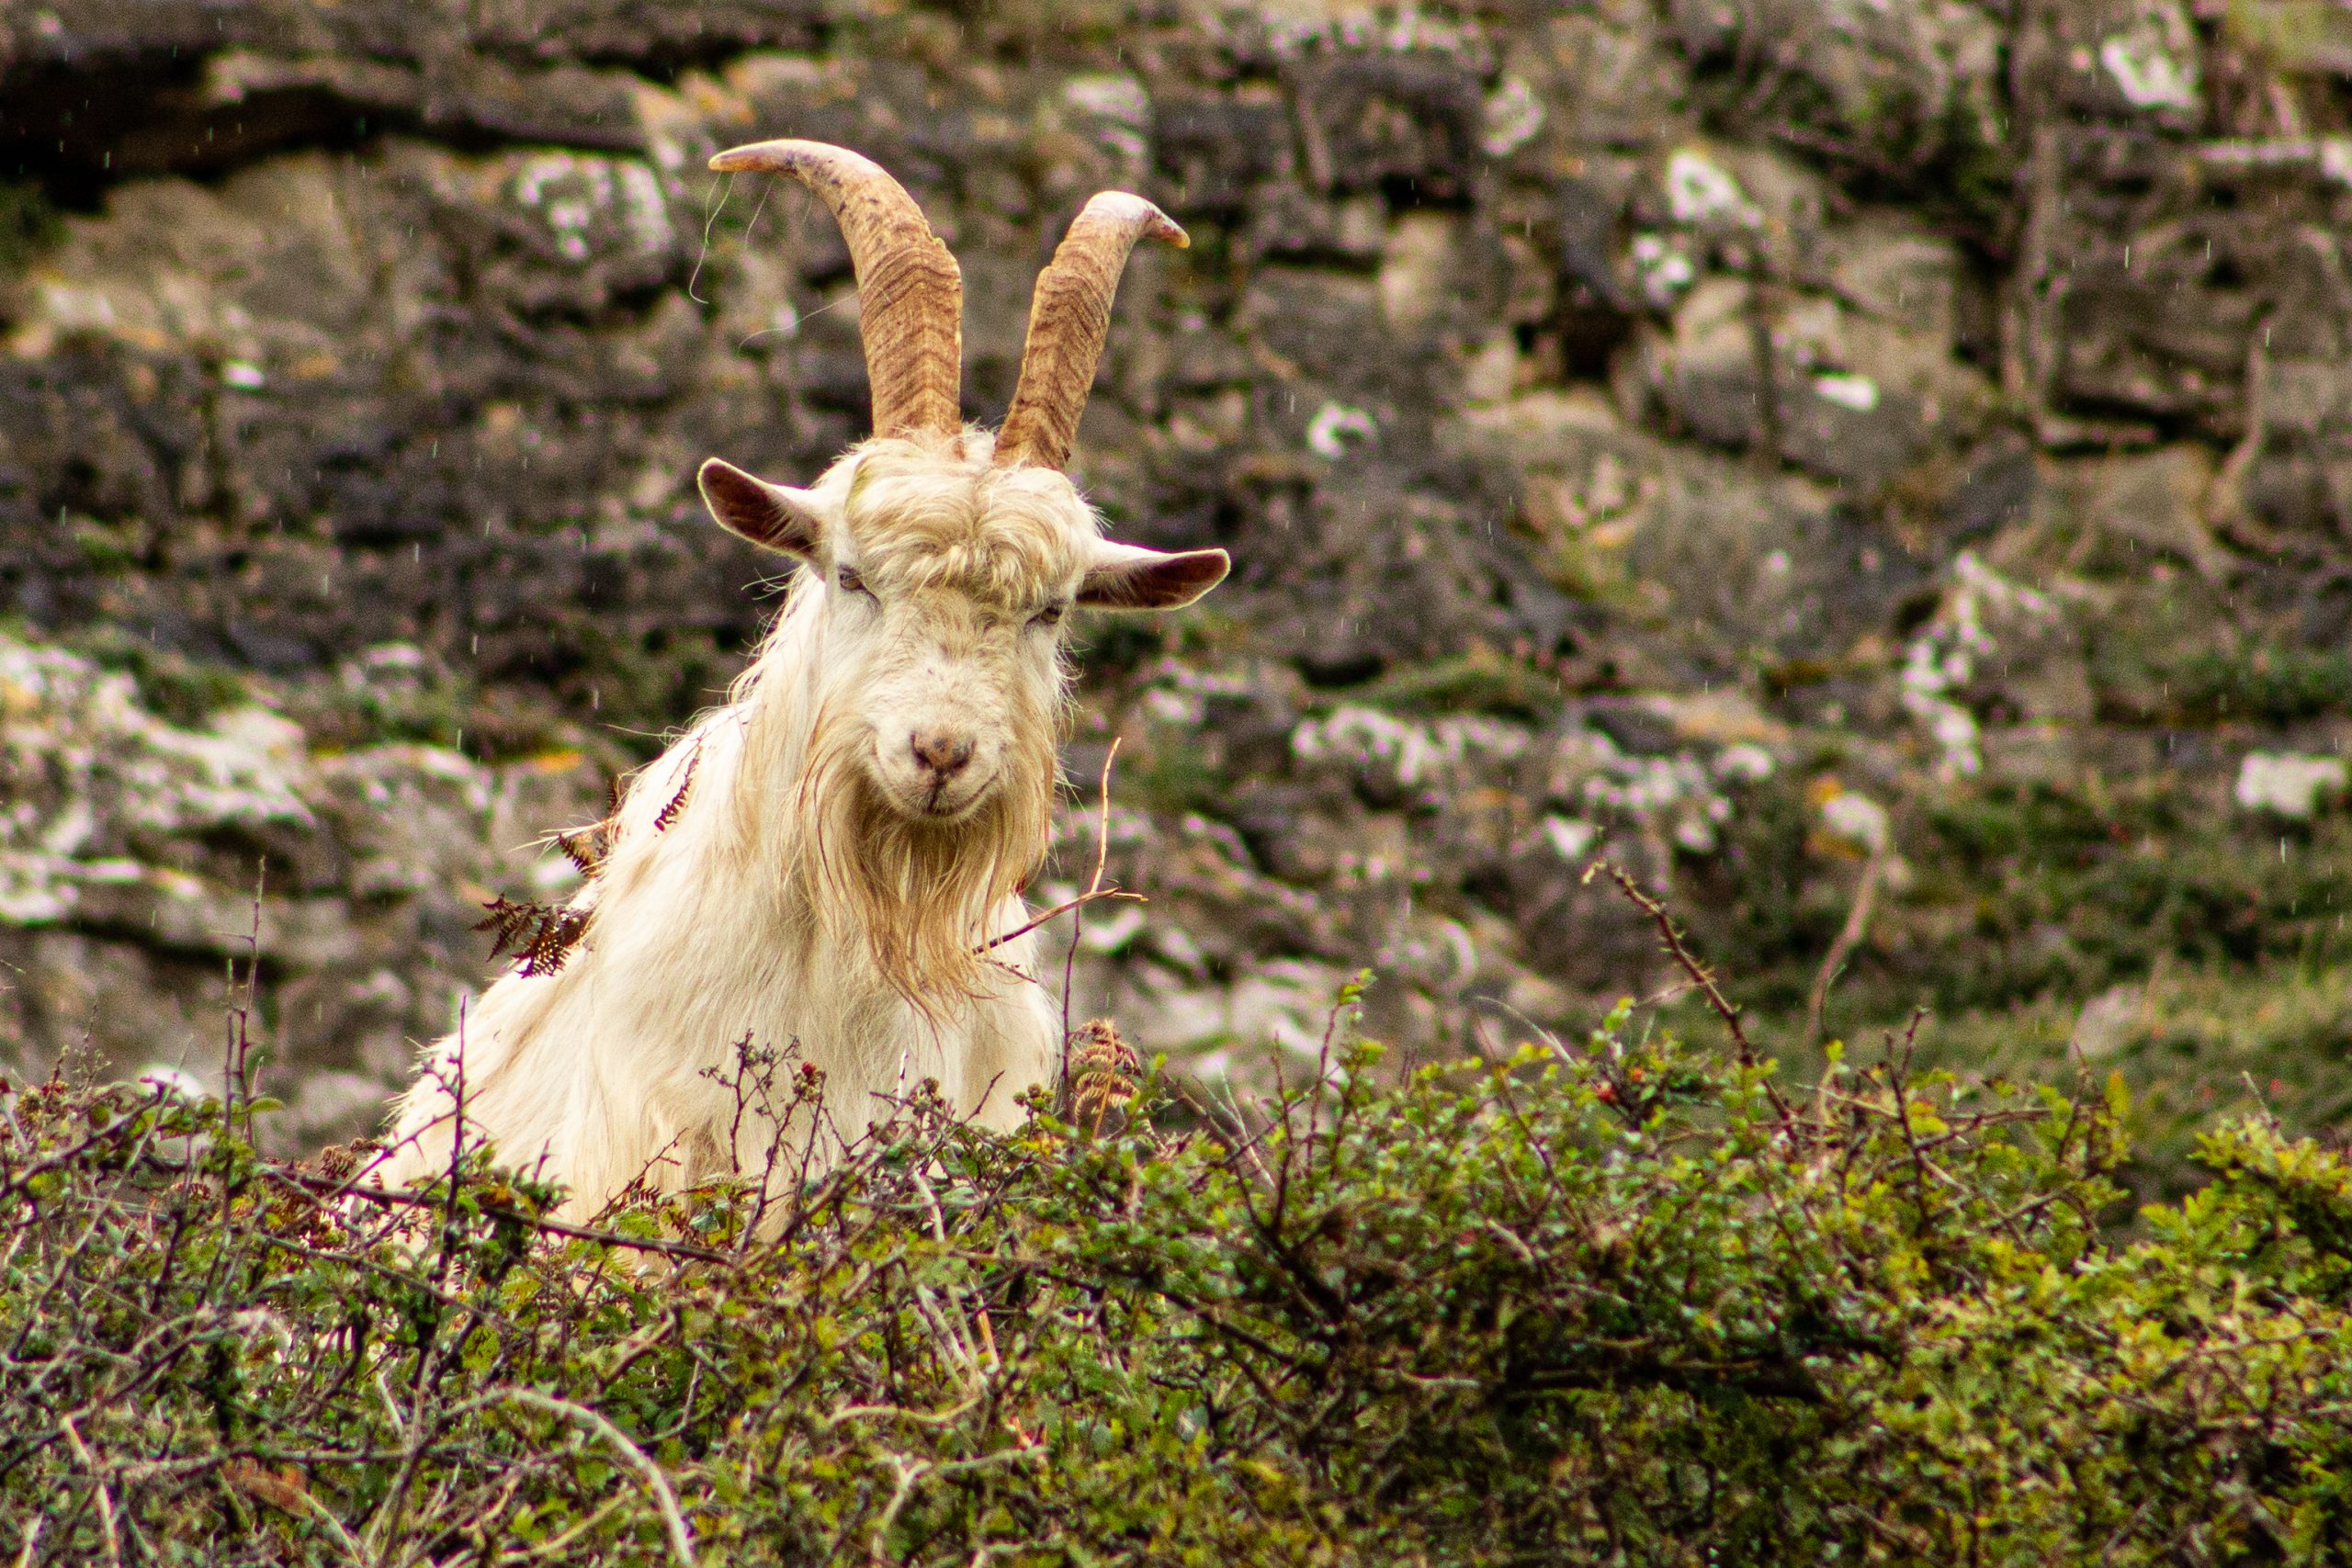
(1812, 453)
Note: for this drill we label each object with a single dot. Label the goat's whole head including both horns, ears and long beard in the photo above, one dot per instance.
(944, 561)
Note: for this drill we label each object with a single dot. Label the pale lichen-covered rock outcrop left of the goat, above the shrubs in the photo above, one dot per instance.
(142, 862)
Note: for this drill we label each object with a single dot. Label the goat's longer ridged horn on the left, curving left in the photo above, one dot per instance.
(911, 295)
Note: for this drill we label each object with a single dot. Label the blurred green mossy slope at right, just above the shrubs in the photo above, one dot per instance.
(2026, 902)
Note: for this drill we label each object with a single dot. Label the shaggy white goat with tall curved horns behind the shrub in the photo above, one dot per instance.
(827, 864)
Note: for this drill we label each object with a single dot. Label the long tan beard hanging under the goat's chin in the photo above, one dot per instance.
(918, 894)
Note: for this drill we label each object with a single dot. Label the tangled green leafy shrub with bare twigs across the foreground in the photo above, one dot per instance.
(1624, 1301)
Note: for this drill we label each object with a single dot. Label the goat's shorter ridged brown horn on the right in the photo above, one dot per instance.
(1069, 319)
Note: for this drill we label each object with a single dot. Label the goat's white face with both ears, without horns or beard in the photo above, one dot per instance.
(947, 589)
